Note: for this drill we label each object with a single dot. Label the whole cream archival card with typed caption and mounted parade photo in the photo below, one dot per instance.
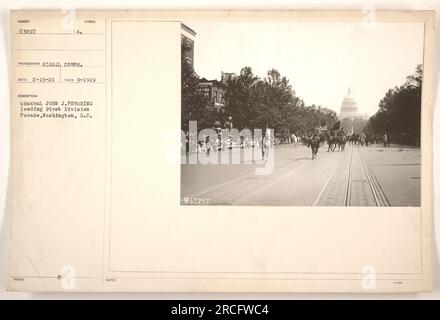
(220, 151)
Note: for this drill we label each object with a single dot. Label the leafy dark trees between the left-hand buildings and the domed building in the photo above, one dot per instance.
(271, 103)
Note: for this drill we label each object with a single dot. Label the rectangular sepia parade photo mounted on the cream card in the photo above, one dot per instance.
(301, 114)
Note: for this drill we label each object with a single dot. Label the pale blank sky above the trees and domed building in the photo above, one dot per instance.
(320, 60)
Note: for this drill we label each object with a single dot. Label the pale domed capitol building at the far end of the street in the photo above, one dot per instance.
(351, 120)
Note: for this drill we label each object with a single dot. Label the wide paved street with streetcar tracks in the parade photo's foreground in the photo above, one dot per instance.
(359, 176)
